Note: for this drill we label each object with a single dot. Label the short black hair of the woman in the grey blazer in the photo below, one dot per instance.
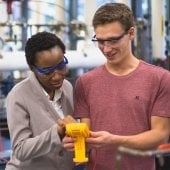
(39, 42)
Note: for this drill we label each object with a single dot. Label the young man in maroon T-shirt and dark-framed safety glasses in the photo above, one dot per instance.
(126, 101)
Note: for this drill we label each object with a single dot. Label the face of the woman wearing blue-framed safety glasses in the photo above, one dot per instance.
(50, 68)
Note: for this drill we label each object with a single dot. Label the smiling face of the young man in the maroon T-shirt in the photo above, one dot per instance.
(113, 41)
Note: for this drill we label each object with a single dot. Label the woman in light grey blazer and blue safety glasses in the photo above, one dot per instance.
(36, 104)
